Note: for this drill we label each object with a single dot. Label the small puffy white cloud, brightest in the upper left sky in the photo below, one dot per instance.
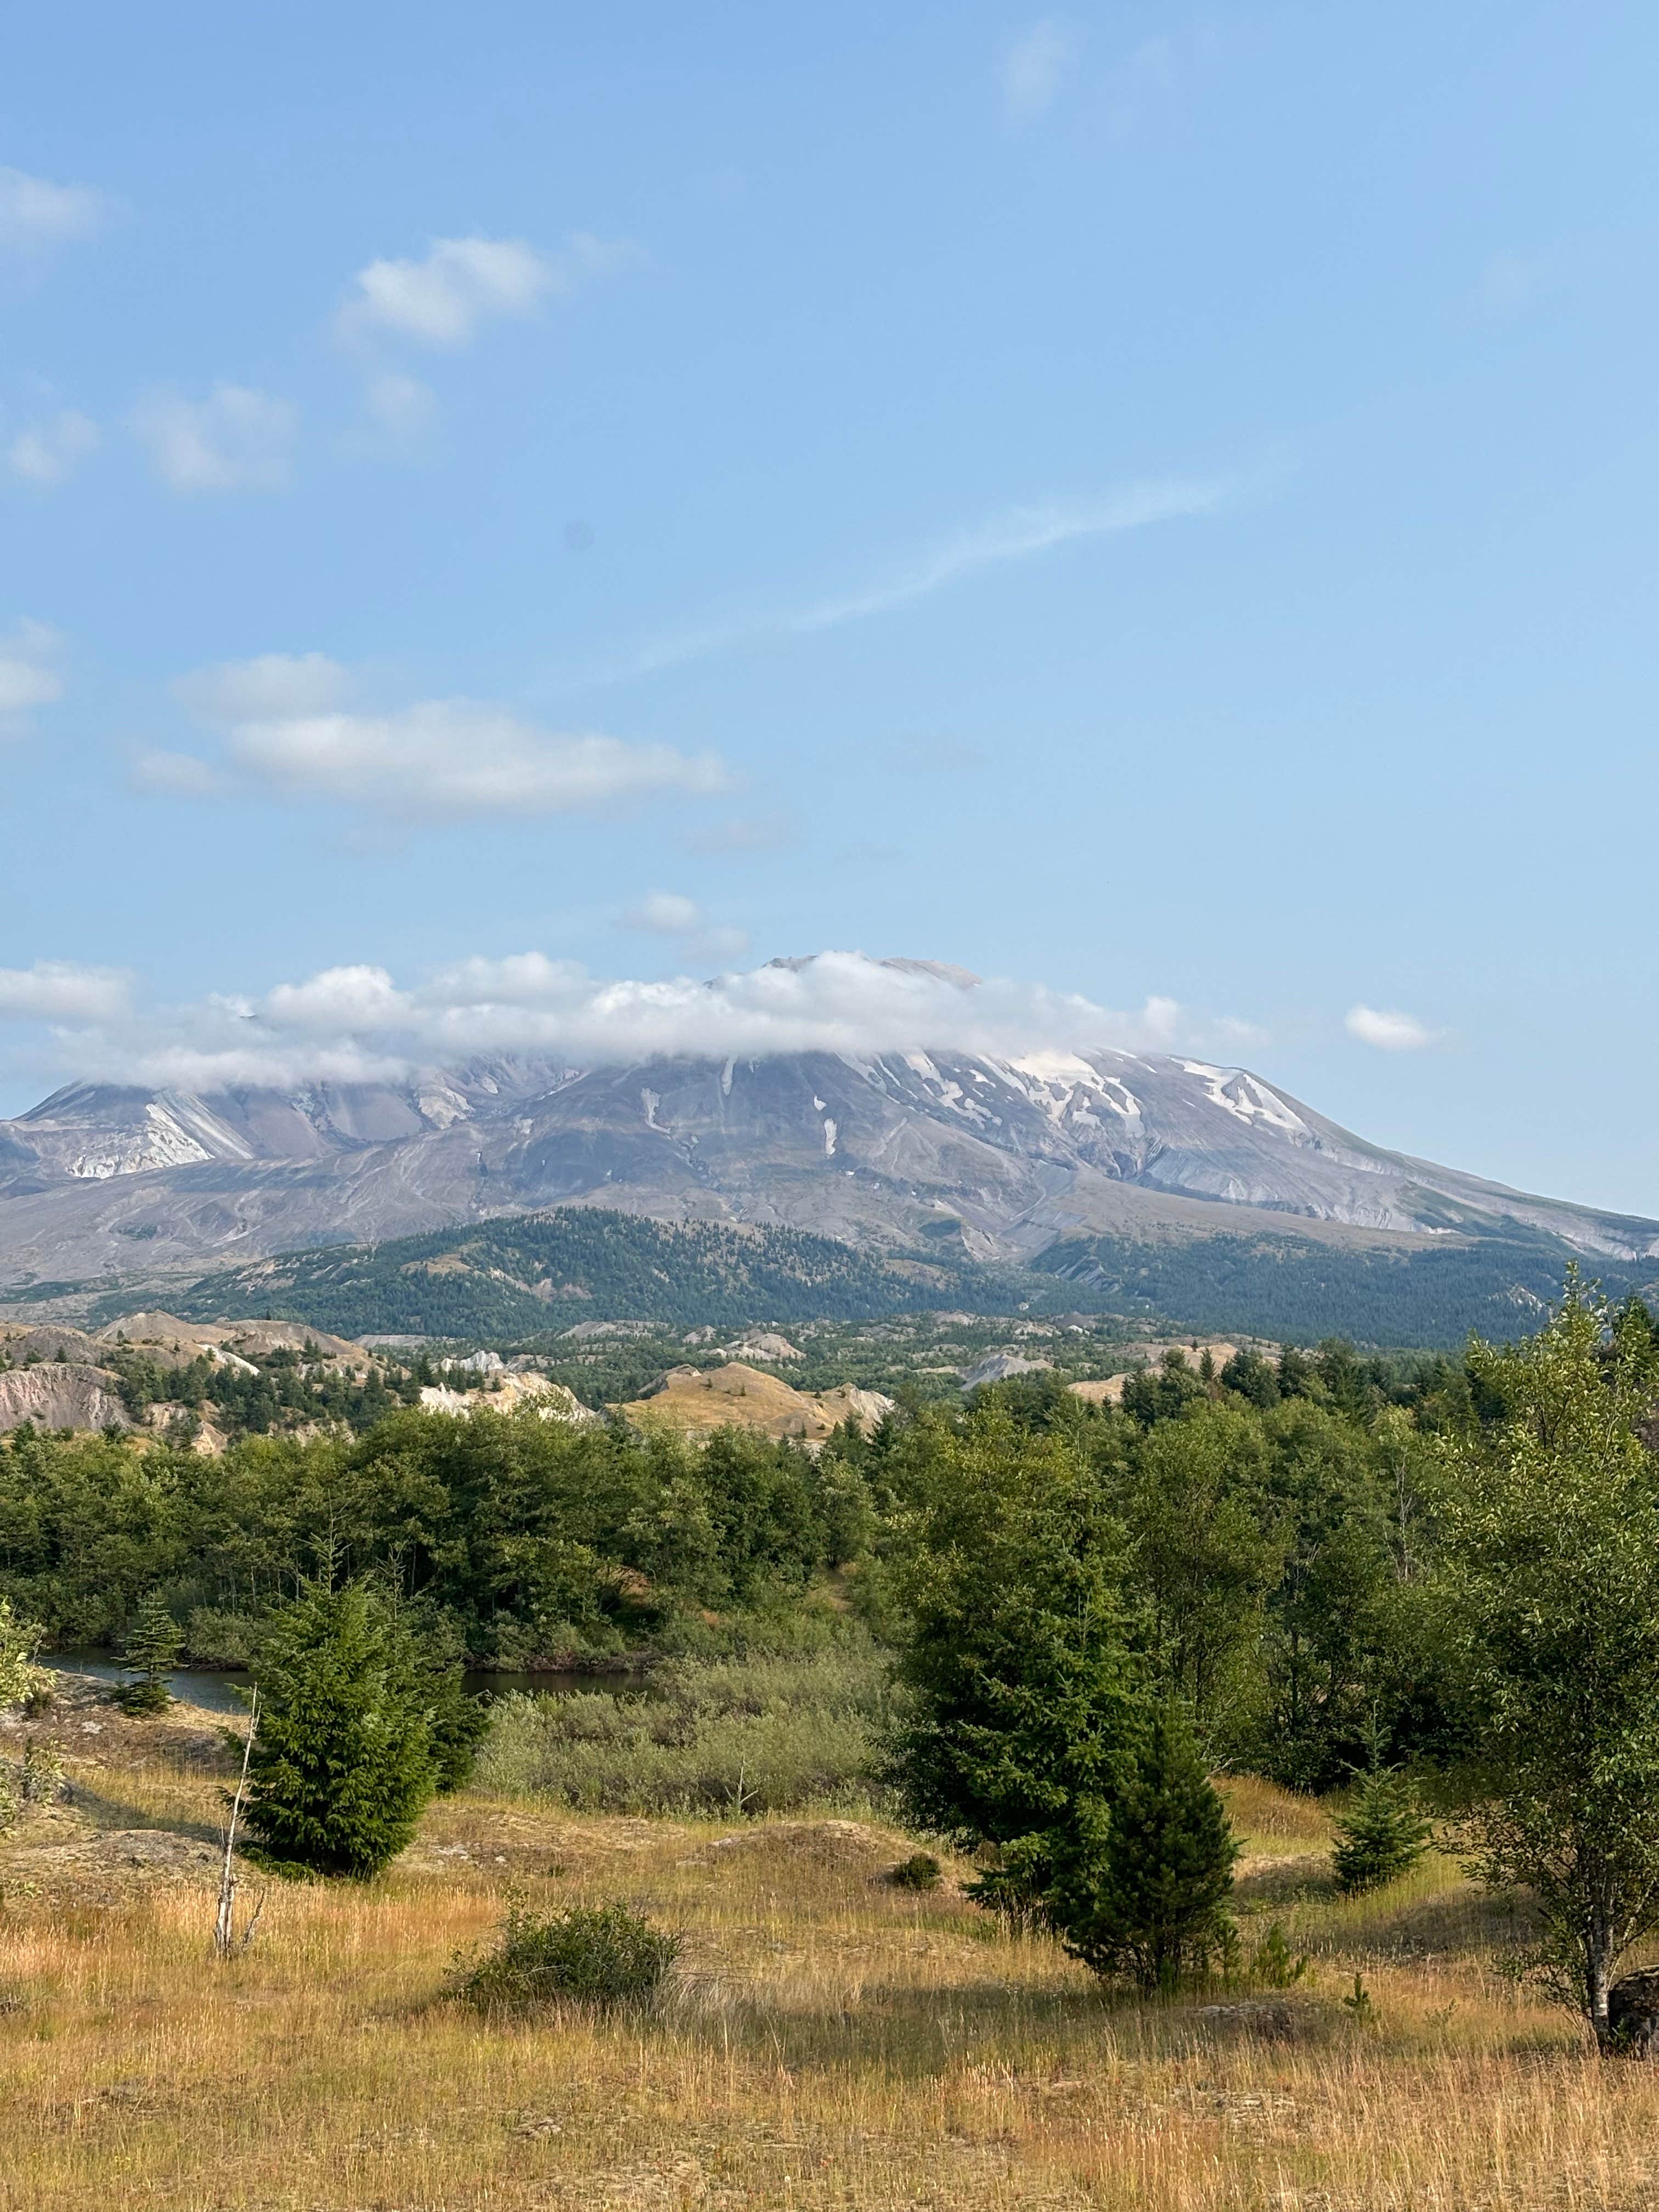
(461, 284)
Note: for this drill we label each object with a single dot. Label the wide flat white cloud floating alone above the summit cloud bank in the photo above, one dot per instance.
(437, 760)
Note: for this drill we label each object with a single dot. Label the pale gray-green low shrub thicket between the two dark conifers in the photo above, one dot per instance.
(711, 1738)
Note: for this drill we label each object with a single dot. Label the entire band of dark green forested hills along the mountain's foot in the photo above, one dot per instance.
(525, 1275)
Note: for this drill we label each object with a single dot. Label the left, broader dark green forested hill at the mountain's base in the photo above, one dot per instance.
(530, 1273)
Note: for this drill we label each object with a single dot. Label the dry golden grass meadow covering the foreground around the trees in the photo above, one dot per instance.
(835, 2043)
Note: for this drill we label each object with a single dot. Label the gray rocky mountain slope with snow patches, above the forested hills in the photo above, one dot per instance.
(948, 1151)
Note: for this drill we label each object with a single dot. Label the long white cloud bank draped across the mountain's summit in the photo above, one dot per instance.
(357, 1023)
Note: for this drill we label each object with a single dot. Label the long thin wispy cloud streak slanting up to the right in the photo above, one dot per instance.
(1014, 536)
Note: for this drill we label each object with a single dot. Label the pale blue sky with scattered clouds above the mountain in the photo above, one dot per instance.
(1145, 503)
